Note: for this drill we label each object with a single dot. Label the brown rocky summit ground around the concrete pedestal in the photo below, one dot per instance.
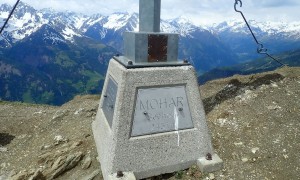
(254, 122)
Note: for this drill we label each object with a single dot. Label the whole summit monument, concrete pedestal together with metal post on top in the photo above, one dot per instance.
(151, 119)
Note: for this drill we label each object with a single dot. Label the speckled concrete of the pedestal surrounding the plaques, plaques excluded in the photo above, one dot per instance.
(153, 154)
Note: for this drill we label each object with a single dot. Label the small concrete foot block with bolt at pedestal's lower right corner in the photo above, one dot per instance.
(207, 166)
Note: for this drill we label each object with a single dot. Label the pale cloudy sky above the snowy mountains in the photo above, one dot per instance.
(198, 11)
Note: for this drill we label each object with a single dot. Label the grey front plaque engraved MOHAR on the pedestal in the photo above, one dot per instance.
(161, 109)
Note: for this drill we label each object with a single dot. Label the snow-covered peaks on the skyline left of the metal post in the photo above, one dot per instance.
(26, 20)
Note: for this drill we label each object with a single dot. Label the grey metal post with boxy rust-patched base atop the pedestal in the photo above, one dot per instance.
(149, 46)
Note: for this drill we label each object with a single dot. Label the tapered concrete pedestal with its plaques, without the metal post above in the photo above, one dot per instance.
(152, 148)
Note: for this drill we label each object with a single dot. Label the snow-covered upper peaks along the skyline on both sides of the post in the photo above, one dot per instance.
(116, 21)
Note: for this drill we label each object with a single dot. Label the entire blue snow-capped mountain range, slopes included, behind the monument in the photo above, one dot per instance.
(59, 54)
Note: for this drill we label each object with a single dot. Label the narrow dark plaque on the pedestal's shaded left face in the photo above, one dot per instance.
(110, 95)
